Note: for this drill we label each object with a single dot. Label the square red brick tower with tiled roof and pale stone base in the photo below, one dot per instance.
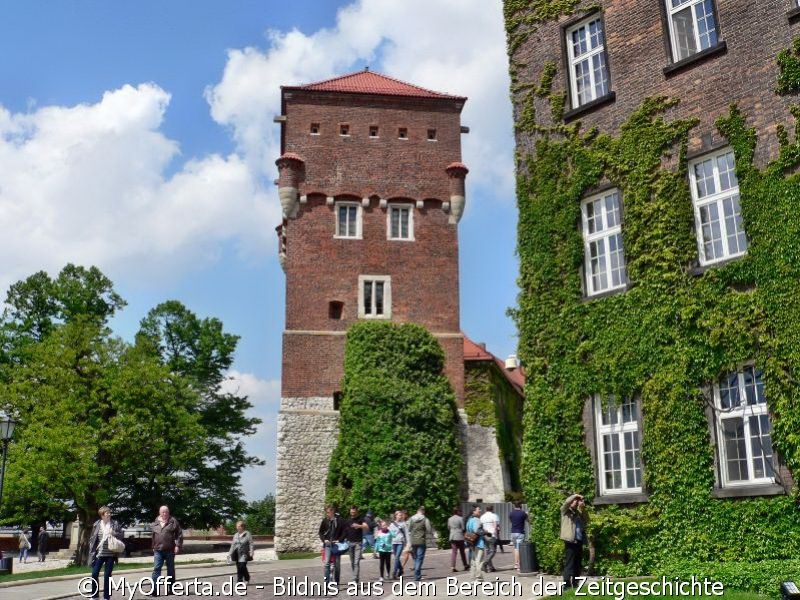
(372, 189)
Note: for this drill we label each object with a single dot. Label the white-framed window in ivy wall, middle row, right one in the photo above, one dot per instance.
(718, 216)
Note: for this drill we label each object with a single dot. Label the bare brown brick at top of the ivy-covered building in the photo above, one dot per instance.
(742, 69)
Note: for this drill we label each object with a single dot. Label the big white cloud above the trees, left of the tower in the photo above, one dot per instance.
(88, 184)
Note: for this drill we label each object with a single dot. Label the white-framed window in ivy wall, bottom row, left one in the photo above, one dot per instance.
(619, 445)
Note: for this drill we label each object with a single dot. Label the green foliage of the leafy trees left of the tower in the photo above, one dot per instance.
(108, 422)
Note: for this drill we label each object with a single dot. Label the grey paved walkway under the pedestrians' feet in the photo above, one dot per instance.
(303, 579)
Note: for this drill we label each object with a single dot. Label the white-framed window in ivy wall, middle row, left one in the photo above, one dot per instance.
(602, 240)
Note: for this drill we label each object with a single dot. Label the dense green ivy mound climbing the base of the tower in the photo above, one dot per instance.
(398, 443)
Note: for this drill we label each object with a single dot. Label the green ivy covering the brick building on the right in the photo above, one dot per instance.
(667, 336)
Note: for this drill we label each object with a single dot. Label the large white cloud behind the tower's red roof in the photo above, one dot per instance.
(453, 46)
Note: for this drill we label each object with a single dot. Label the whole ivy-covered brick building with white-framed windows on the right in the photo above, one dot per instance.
(659, 242)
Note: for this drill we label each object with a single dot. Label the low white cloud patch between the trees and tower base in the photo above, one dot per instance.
(264, 395)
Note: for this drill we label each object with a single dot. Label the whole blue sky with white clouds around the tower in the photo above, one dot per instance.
(138, 137)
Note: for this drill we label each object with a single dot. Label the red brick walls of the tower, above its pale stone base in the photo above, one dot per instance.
(348, 147)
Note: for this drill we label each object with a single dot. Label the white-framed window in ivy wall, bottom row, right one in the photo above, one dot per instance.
(743, 428)
